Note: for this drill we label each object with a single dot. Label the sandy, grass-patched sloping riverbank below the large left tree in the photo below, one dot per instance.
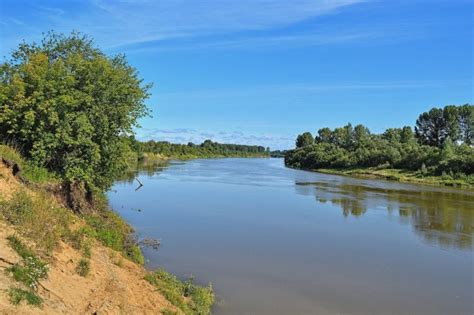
(56, 261)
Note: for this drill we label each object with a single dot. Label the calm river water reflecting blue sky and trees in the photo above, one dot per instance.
(273, 240)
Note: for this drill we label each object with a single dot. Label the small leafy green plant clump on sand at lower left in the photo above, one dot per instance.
(31, 269)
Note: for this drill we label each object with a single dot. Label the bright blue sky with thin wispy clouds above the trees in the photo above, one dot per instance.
(262, 71)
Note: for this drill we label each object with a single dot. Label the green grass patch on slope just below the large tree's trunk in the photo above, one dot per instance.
(115, 233)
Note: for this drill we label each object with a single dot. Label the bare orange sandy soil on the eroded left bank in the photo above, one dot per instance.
(114, 285)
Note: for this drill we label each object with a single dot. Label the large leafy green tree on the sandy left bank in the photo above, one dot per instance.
(69, 107)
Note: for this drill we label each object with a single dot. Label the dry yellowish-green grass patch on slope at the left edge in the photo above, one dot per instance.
(37, 217)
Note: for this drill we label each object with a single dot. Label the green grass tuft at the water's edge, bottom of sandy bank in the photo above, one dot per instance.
(188, 297)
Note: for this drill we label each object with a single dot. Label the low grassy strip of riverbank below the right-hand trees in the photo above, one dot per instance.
(398, 175)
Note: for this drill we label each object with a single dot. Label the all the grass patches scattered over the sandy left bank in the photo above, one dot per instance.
(37, 216)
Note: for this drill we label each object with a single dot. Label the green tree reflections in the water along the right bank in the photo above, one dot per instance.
(439, 216)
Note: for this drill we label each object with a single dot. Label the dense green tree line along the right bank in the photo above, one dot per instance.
(440, 144)
